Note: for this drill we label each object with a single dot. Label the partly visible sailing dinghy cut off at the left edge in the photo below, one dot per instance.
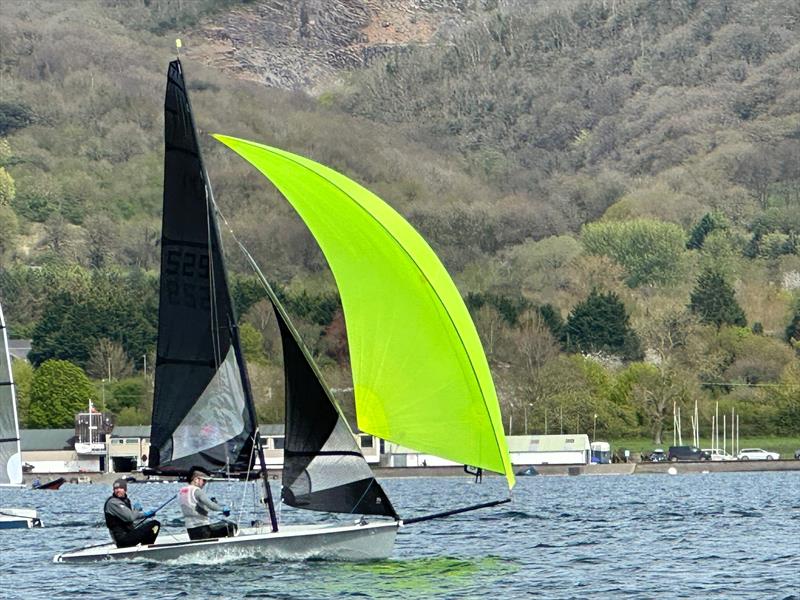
(10, 452)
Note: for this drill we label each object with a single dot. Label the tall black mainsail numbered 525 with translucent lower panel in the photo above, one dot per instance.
(203, 412)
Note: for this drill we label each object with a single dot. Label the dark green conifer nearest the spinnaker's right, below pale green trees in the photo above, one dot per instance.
(600, 324)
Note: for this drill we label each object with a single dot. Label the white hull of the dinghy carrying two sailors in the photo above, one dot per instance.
(359, 542)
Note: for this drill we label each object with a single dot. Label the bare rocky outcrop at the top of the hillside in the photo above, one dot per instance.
(306, 44)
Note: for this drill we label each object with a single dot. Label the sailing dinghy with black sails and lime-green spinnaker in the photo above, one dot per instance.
(427, 386)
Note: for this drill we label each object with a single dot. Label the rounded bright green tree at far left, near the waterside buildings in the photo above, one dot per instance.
(59, 390)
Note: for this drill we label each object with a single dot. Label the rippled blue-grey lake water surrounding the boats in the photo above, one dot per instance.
(714, 535)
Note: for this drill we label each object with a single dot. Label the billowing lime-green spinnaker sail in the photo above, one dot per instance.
(420, 375)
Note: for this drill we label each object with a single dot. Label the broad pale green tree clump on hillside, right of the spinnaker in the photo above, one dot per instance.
(650, 251)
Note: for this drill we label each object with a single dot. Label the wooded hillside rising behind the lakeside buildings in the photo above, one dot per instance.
(614, 185)
